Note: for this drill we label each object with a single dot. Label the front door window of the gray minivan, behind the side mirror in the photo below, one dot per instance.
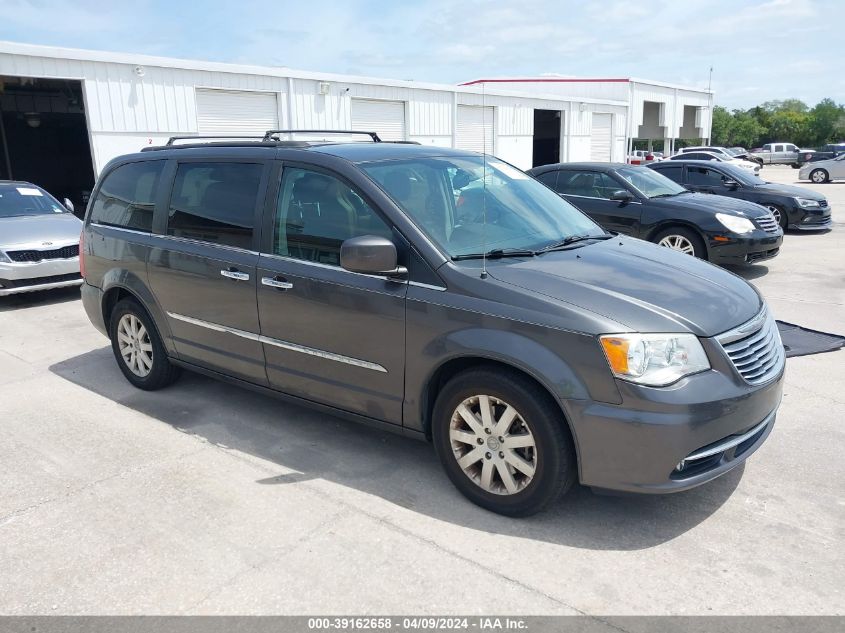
(316, 213)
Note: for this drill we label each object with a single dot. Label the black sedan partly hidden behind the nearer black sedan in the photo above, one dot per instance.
(793, 207)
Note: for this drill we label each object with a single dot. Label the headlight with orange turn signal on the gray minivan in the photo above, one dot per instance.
(654, 360)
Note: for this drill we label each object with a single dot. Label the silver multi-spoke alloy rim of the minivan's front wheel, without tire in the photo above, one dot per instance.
(493, 445)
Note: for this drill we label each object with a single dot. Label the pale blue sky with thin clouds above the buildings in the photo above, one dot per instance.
(759, 49)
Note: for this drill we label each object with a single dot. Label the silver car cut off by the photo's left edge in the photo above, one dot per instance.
(39, 240)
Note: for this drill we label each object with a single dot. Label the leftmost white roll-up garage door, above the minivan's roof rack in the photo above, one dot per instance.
(236, 112)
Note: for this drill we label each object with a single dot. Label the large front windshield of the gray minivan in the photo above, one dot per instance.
(470, 205)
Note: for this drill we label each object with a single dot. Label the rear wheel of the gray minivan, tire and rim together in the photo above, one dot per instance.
(138, 349)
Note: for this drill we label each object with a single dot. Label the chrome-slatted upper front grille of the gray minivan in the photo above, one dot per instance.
(755, 348)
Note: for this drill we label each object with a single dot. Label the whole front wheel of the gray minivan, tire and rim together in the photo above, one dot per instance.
(503, 441)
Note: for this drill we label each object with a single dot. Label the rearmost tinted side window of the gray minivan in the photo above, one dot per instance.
(127, 196)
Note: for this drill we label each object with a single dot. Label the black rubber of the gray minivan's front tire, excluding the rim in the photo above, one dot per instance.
(555, 456)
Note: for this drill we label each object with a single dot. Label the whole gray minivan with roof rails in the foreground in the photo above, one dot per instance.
(439, 293)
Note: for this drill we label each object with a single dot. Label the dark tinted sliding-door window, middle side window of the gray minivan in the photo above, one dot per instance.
(215, 202)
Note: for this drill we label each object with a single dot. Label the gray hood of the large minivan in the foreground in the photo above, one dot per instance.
(642, 286)
